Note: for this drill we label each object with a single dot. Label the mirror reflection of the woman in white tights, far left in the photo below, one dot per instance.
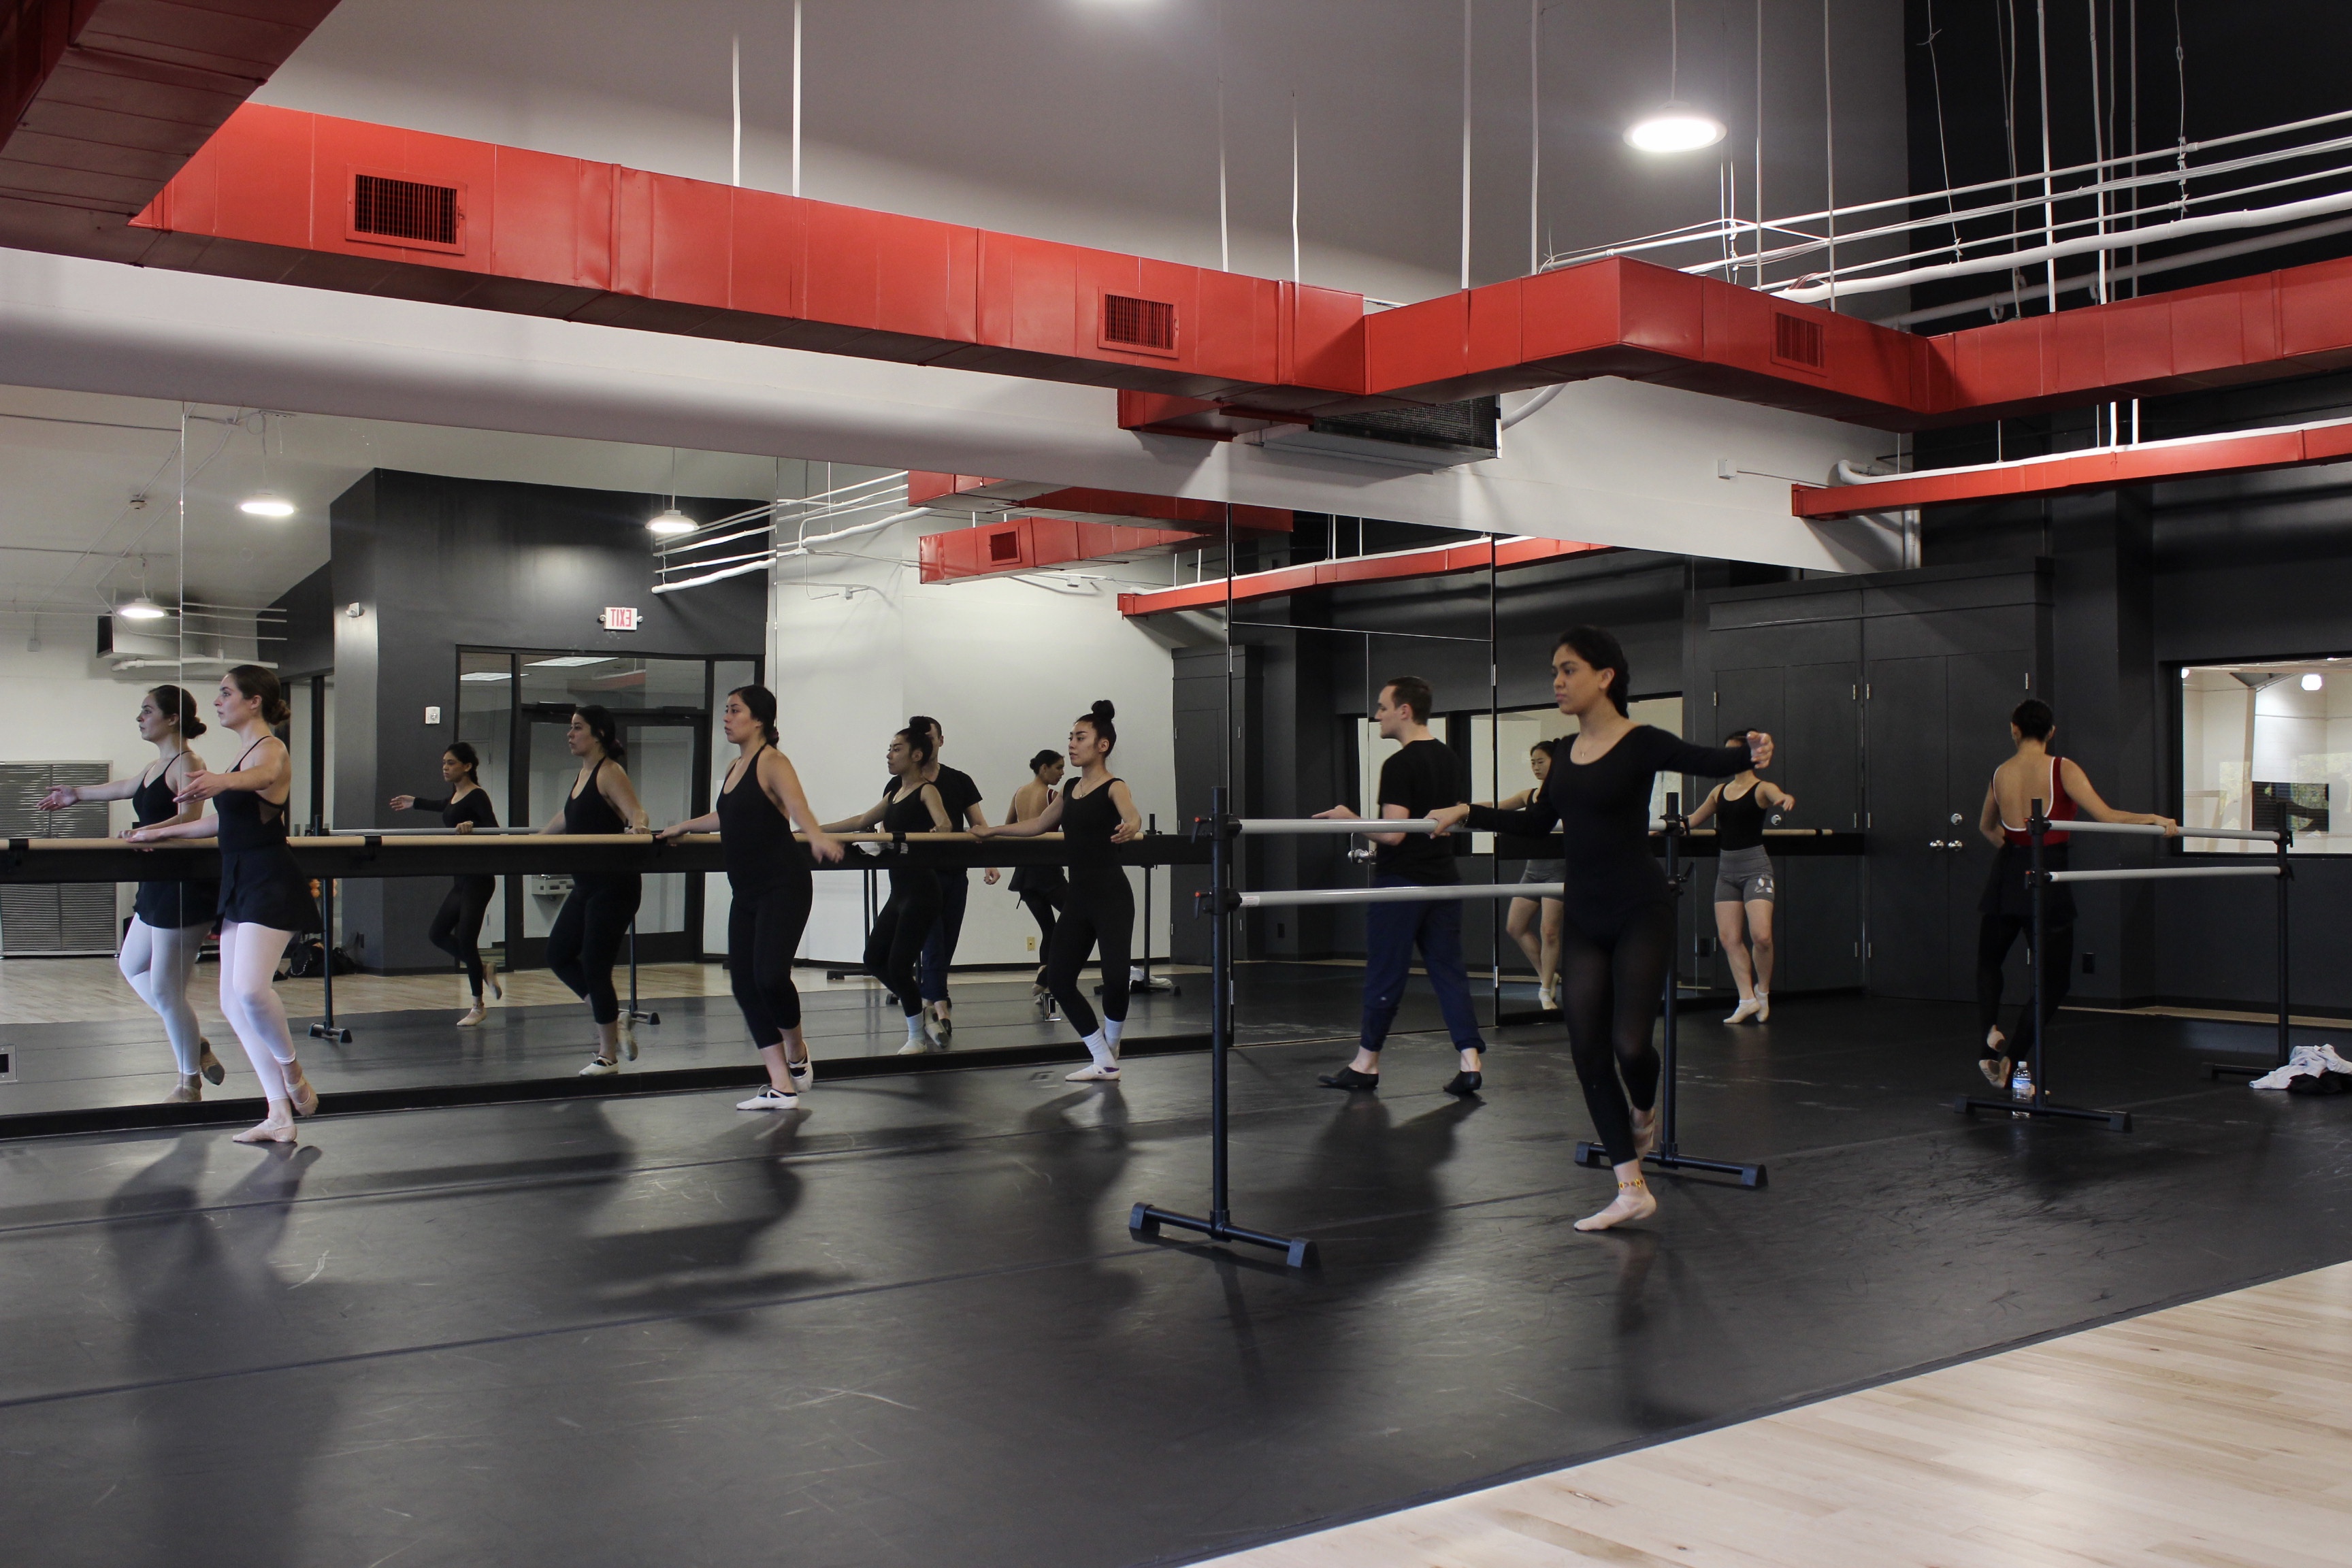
(168, 918)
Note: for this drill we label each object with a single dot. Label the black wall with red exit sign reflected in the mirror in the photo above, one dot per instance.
(441, 563)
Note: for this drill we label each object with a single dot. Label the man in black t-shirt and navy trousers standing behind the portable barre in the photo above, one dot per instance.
(1417, 782)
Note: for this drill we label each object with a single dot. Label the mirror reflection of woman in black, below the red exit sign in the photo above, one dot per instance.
(587, 934)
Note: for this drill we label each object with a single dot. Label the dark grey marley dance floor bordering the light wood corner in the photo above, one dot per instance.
(909, 1327)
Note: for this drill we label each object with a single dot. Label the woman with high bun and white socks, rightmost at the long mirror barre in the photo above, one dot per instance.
(1100, 913)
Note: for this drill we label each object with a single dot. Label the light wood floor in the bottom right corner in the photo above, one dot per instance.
(2214, 1435)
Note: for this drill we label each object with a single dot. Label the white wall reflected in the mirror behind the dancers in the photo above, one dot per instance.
(1003, 666)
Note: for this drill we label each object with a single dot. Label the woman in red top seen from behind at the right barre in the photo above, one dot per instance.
(2007, 909)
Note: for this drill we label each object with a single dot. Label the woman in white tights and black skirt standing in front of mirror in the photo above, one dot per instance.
(265, 892)
